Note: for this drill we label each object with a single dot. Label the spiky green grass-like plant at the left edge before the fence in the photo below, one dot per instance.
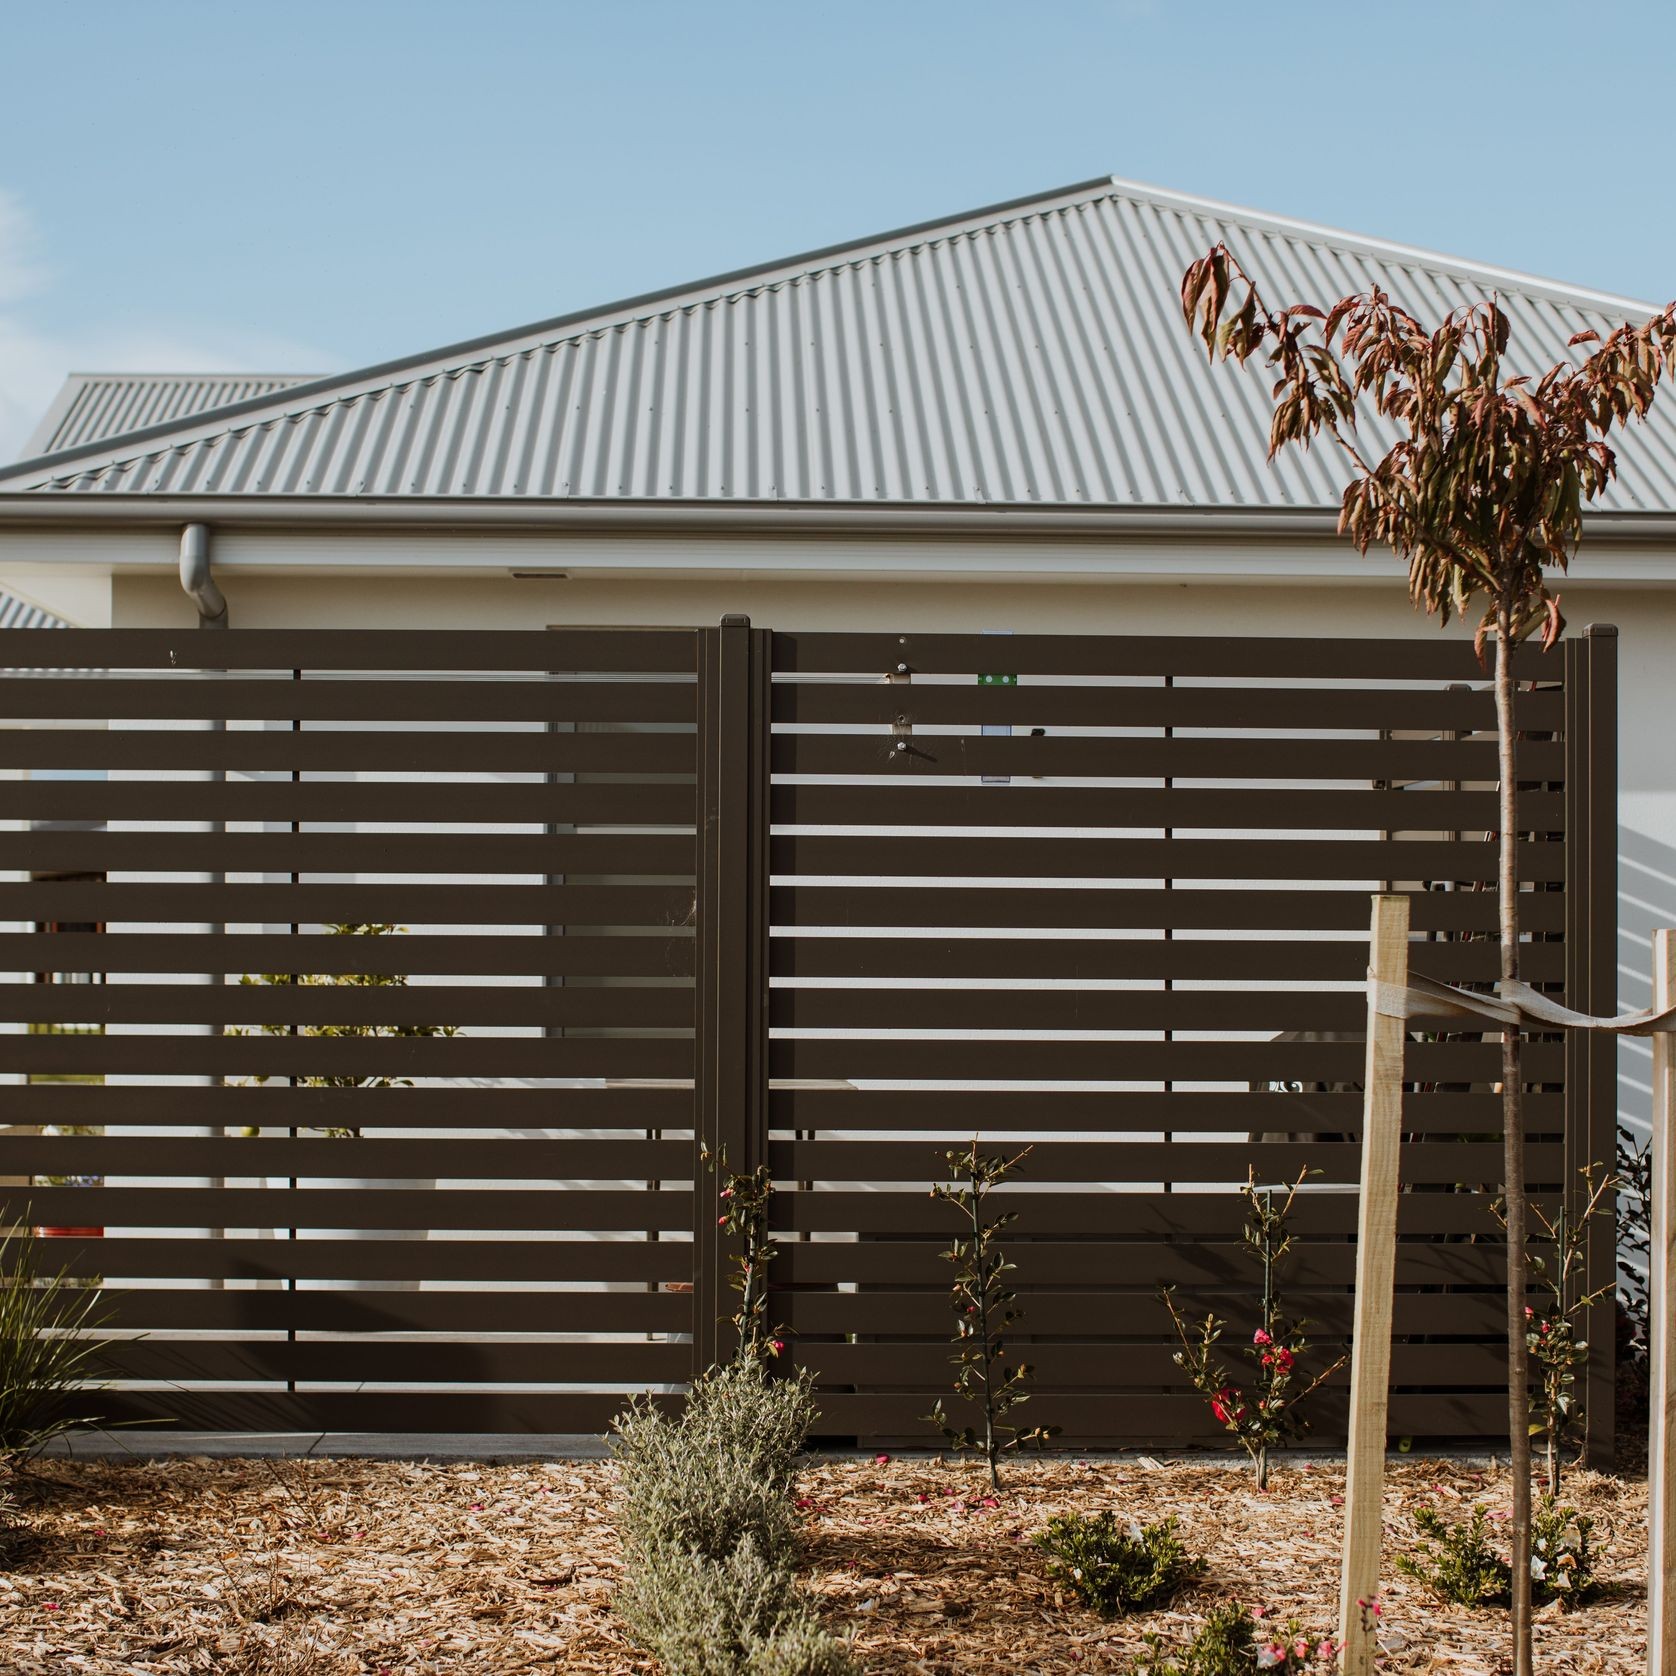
(49, 1345)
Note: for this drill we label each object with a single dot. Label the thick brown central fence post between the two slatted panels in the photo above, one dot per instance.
(732, 1003)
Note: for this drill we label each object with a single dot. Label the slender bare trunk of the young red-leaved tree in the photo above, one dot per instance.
(1514, 1154)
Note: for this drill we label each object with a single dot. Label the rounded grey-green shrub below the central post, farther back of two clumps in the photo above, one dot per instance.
(720, 1472)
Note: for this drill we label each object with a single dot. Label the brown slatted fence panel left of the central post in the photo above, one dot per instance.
(437, 1177)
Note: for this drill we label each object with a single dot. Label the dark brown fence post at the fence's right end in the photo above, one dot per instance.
(1591, 986)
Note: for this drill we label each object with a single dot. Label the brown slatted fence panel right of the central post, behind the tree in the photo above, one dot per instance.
(1107, 899)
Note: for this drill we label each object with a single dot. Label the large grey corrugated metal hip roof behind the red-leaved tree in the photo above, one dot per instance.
(1023, 356)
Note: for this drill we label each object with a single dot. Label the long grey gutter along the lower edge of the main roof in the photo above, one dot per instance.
(743, 519)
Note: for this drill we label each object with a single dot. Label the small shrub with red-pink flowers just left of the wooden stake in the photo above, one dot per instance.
(1263, 1412)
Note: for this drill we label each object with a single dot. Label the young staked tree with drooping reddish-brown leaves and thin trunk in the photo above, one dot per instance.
(1479, 495)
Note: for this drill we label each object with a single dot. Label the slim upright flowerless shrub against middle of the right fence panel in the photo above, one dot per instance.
(986, 1375)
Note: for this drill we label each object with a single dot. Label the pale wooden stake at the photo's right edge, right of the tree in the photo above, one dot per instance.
(1662, 1320)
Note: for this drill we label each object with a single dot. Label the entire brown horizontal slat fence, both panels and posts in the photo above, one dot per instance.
(834, 903)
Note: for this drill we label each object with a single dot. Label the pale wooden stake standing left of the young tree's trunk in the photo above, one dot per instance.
(1375, 1293)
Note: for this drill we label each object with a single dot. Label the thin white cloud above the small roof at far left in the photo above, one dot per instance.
(34, 361)
